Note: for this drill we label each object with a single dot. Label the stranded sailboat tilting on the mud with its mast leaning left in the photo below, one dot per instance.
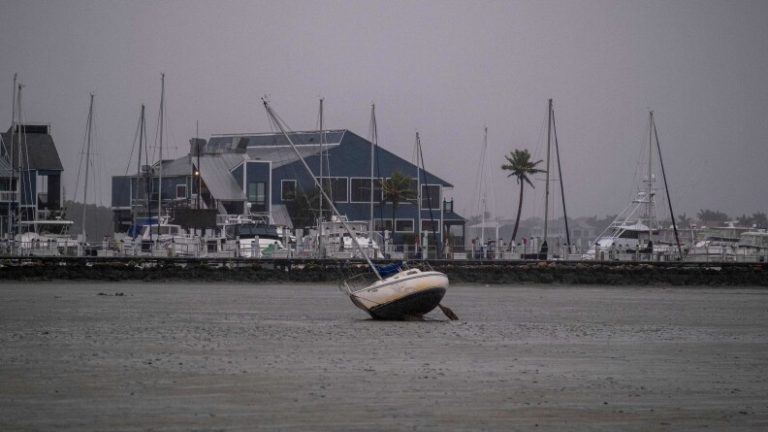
(397, 292)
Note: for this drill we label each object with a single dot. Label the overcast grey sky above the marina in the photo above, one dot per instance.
(443, 68)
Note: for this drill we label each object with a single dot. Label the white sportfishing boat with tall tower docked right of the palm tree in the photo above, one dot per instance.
(632, 231)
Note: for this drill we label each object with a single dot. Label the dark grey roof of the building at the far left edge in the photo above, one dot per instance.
(39, 150)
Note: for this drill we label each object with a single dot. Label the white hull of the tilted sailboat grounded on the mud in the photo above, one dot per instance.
(410, 293)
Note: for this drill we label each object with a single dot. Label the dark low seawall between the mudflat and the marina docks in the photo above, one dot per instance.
(312, 270)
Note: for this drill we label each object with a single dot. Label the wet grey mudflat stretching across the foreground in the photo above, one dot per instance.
(187, 356)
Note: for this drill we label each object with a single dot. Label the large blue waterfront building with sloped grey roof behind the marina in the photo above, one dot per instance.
(260, 175)
